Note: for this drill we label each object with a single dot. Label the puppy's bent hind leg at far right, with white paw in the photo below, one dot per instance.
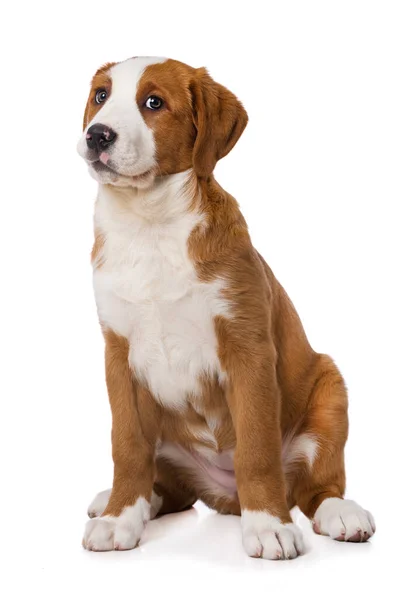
(319, 482)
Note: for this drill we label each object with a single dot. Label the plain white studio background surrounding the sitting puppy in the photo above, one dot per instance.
(317, 176)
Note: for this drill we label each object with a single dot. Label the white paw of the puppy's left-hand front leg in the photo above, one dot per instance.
(117, 533)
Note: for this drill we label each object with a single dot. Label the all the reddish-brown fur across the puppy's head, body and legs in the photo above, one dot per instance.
(276, 386)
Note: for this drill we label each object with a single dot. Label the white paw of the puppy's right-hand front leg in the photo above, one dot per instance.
(265, 536)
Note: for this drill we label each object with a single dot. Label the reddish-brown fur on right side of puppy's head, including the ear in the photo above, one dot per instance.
(190, 129)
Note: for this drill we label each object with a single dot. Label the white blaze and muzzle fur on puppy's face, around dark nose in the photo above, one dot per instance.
(133, 152)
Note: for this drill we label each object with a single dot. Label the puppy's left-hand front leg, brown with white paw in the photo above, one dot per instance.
(133, 443)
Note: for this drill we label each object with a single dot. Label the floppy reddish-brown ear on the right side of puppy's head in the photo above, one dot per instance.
(219, 118)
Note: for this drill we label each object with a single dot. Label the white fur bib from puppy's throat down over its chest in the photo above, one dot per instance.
(147, 290)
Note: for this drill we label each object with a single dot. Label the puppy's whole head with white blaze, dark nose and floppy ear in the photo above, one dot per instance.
(147, 117)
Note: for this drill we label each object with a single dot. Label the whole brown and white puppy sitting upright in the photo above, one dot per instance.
(214, 389)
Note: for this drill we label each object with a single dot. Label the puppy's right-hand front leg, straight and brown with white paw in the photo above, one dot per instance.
(254, 401)
